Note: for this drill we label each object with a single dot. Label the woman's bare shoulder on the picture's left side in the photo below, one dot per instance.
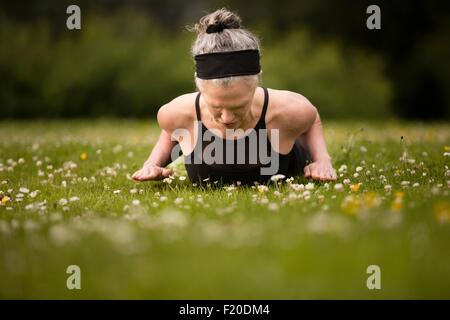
(178, 113)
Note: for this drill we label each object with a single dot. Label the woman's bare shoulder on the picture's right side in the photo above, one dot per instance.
(290, 110)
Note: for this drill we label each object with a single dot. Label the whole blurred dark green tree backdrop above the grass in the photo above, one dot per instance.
(131, 57)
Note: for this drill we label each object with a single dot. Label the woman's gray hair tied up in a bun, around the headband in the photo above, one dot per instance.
(232, 38)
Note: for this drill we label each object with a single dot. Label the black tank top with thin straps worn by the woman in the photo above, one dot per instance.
(227, 169)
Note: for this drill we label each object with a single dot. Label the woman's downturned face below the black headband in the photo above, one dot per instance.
(229, 106)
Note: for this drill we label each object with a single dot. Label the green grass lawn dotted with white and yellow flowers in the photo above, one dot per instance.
(160, 240)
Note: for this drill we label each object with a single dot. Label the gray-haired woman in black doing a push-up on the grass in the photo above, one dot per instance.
(228, 108)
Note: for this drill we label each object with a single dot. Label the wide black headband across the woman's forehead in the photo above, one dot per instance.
(226, 64)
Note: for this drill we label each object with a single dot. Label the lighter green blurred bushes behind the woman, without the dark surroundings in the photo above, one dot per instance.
(123, 64)
